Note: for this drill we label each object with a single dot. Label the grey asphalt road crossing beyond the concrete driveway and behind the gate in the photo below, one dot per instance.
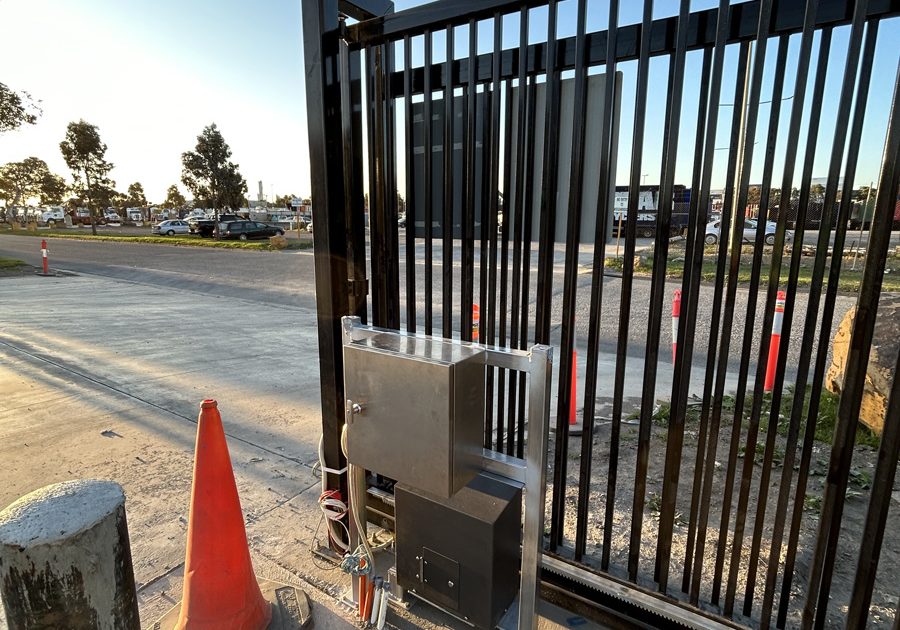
(287, 278)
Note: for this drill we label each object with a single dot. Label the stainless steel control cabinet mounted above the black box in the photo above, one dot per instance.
(420, 418)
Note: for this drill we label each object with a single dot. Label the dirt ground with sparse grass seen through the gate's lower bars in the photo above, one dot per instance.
(855, 507)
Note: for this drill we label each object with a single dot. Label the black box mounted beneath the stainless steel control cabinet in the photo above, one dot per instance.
(462, 553)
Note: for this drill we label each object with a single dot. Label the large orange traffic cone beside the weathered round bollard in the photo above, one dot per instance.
(220, 589)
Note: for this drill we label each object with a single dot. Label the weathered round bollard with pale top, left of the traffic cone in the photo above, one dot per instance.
(65, 559)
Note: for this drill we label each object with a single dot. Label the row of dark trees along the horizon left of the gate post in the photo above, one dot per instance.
(207, 171)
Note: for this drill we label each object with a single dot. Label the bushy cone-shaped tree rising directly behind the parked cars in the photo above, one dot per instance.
(209, 174)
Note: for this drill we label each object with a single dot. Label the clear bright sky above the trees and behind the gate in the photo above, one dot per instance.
(151, 75)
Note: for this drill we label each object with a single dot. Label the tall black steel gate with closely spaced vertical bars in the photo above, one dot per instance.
(498, 130)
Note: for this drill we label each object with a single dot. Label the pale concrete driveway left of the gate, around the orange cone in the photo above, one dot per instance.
(102, 378)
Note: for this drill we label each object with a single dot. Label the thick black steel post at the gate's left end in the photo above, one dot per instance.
(321, 37)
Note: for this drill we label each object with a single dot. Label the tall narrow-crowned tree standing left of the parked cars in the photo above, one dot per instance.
(85, 154)
